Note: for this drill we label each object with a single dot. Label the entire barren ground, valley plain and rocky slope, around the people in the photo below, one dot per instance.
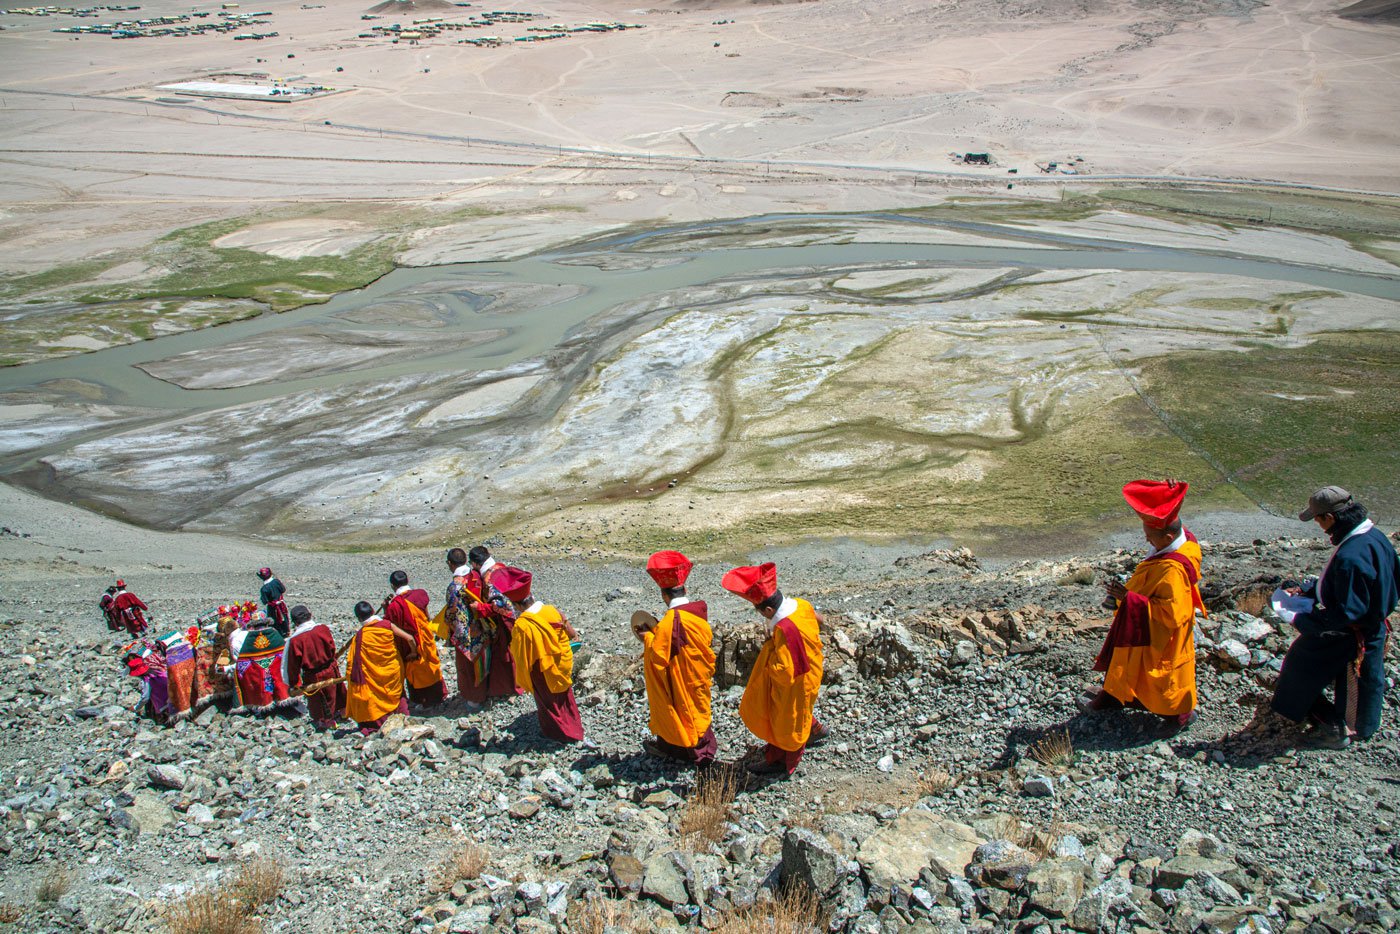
(719, 284)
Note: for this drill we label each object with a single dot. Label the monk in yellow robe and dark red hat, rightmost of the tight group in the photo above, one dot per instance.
(544, 657)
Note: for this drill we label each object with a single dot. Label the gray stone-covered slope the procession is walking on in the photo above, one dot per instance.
(960, 789)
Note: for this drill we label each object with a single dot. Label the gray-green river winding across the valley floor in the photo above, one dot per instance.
(600, 285)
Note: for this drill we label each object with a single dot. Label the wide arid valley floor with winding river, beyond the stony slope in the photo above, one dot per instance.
(943, 351)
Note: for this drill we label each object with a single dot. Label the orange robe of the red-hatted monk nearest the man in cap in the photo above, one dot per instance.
(1161, 676)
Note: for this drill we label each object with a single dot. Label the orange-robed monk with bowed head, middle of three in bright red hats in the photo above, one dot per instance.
(782, 692)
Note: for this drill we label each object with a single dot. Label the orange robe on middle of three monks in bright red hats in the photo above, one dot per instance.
(778, 704)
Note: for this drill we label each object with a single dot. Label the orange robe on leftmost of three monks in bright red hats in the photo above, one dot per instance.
(678, 684)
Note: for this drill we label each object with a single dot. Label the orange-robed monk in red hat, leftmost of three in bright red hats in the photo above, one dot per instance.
(678, 664)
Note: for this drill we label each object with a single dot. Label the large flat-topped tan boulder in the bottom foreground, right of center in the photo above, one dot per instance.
(915, 841)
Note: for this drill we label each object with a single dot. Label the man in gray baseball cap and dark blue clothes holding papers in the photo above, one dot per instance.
(1342, 639)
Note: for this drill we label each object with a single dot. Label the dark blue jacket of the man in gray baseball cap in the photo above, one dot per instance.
(1359, 589)
